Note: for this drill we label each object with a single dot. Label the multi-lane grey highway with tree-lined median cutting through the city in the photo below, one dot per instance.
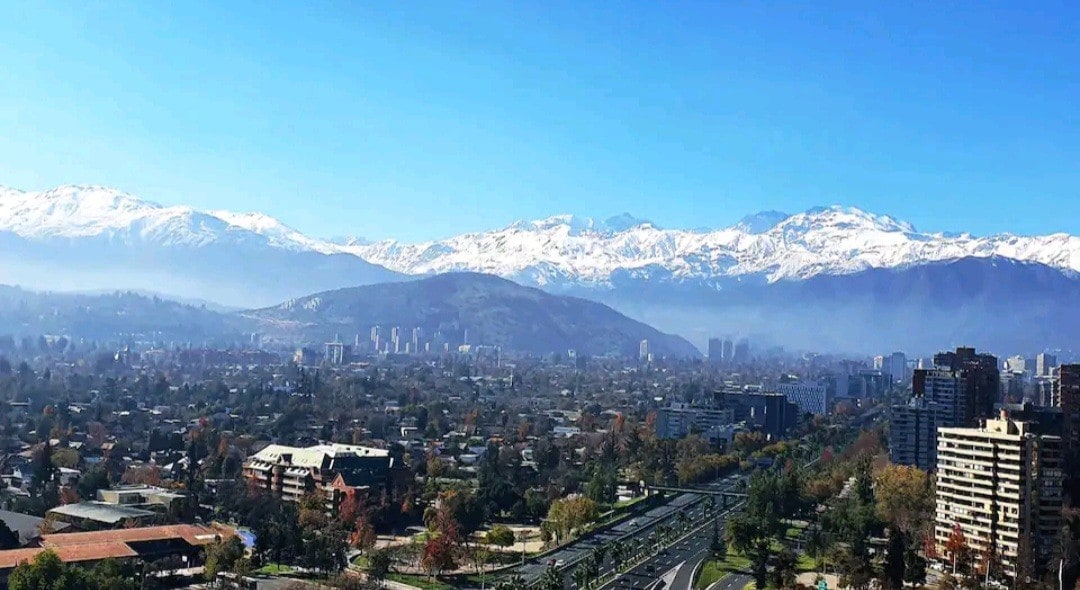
(674, 565)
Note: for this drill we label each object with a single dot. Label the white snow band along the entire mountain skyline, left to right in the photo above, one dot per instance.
(561, 250)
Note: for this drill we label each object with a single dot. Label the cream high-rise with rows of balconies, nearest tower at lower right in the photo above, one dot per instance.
(1002, 487)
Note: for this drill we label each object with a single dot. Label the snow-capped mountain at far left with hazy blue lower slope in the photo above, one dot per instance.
(85, 238)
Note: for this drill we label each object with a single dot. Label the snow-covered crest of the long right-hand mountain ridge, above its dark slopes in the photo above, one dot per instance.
(772, 246)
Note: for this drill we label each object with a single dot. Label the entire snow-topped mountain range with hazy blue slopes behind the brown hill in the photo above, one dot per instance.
(830, 276)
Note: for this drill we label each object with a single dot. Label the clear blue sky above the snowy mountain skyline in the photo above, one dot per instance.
(422, 120)
